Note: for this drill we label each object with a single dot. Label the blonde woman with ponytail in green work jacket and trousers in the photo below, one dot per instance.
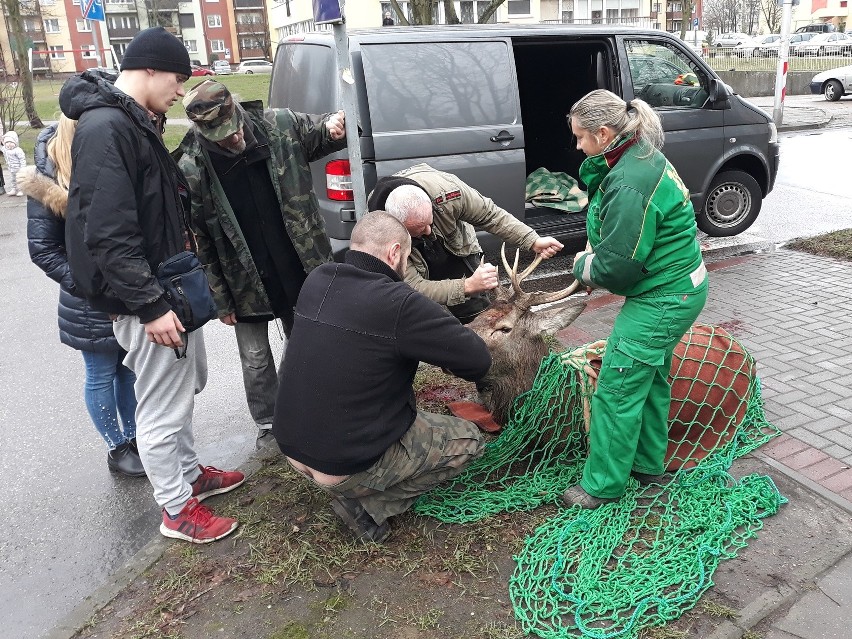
(642, 245)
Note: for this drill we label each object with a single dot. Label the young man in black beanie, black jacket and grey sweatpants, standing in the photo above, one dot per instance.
(127, 213)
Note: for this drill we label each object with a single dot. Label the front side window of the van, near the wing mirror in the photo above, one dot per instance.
(665, 77)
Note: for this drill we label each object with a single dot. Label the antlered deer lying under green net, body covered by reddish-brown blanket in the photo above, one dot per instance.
(711, 372)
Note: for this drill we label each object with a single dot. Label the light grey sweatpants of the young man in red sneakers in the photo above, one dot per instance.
(165, 394)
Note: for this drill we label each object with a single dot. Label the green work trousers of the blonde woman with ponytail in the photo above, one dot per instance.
(630, 408)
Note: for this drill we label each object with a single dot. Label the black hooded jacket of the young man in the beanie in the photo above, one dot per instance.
(125, 202)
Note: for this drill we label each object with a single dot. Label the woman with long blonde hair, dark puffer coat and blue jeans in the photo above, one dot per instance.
(109, 384)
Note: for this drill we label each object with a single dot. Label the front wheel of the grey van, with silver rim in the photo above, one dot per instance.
(731, 206)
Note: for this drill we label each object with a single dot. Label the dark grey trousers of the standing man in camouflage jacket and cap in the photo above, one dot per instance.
(259, 376)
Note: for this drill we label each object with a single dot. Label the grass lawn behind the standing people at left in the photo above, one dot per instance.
(247, 87)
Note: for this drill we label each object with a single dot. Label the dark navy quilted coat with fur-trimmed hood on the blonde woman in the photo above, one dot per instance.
(80, 326)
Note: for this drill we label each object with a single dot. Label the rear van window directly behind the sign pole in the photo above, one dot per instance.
(298, 67)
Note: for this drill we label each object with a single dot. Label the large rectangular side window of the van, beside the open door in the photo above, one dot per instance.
(465, 84)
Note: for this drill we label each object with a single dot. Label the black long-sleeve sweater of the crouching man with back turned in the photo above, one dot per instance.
(359, 333)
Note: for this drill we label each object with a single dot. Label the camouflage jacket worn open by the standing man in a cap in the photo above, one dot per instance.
(295, 139)
